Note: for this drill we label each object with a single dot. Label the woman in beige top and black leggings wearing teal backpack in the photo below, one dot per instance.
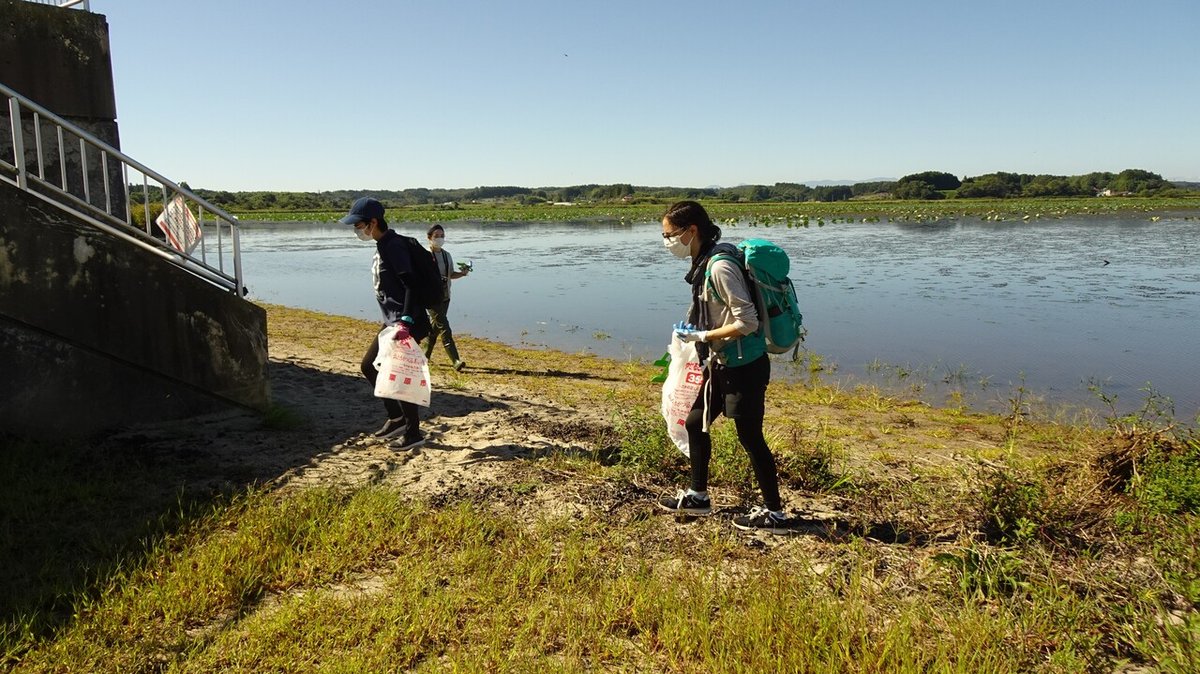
(724, 324)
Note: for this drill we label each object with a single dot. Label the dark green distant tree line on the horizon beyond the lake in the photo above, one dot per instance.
(927, 185)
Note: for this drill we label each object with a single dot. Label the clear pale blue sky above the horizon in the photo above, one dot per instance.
(398, 94)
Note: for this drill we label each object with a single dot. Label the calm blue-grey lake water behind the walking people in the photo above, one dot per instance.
(923, 309)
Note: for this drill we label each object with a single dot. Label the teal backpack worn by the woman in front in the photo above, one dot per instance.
(767, 267)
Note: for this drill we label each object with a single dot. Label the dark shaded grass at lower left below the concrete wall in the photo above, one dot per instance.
(71, 516)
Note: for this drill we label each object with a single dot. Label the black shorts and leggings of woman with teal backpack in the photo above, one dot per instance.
(740, 394)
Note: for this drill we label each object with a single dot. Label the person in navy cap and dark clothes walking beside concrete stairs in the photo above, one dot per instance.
(392, 270)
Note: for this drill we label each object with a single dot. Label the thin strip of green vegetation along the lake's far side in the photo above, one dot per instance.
(773, 213)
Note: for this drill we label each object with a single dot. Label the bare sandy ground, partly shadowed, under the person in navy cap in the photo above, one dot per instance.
(473, 435)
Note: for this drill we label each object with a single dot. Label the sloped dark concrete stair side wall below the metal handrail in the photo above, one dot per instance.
(97, 333)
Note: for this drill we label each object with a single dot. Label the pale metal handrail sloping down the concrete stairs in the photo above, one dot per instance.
(109, 208)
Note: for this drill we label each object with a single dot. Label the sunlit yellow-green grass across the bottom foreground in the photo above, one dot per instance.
(370, 582)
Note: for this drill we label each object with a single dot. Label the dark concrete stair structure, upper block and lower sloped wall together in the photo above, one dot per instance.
(95, 332)
